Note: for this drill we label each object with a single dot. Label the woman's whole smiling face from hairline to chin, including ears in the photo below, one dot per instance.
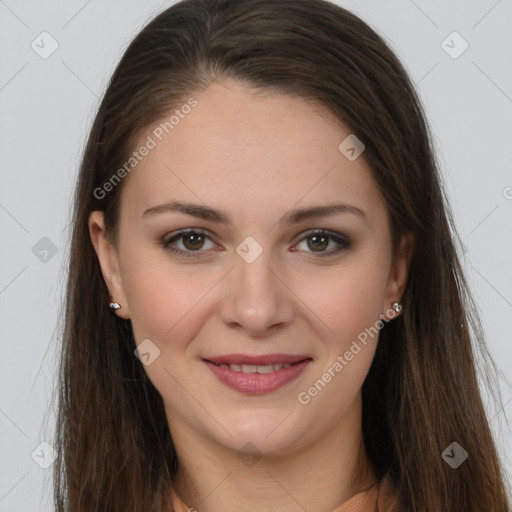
(262, 278)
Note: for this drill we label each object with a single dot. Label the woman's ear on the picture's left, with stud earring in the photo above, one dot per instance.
(109, 262)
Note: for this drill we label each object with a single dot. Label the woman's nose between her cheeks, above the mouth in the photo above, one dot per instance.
(257, 299)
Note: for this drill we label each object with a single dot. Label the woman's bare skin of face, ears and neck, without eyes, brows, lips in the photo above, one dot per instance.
(256, 156)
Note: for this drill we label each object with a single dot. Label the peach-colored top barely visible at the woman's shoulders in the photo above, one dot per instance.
(380, 497)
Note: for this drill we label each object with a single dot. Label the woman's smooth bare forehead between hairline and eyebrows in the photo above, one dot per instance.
(252, 152)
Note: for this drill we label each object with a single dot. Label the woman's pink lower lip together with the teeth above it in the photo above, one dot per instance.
(257, 383)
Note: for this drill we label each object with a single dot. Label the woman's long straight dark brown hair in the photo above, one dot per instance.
(115, 452)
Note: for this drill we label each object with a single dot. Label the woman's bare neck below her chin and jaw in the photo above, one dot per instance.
(211, 477)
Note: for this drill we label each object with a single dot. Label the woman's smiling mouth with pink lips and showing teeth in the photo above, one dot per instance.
(257, 374)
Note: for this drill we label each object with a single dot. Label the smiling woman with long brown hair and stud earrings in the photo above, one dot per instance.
(265, 308)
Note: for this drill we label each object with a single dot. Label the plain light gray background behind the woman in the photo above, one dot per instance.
(47, 106)
